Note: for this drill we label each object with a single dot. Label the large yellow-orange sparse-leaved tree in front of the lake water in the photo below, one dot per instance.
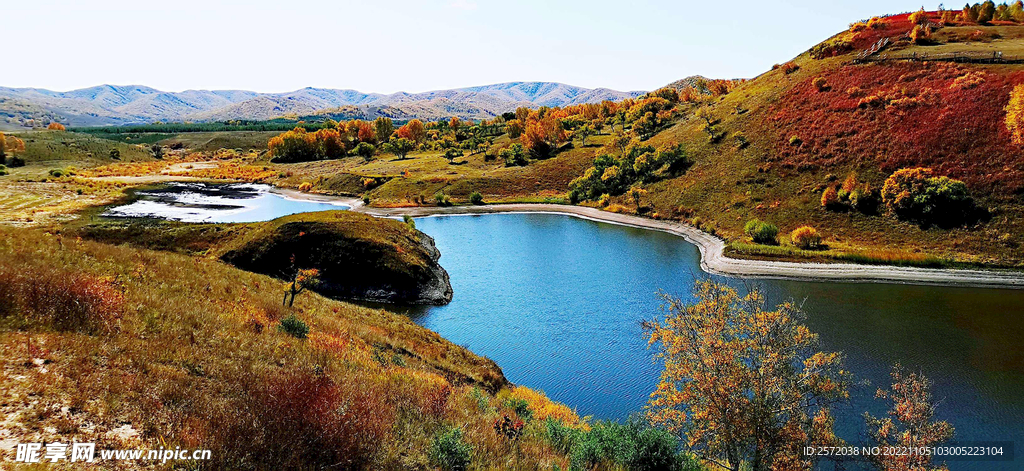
(744, 386)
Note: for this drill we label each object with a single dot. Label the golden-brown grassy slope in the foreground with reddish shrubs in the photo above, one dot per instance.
(186, 352)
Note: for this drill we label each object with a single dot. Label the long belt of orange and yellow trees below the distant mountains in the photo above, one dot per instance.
(536, 134)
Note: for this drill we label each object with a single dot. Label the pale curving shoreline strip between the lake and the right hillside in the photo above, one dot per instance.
(713, 259)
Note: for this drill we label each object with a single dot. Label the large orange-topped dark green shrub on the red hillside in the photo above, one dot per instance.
(917, 195)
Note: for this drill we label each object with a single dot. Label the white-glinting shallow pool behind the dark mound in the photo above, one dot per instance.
(217, 203)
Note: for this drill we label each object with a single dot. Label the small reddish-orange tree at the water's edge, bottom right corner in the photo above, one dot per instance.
(911, 424)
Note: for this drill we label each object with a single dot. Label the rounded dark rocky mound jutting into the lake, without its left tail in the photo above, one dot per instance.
(360, 258)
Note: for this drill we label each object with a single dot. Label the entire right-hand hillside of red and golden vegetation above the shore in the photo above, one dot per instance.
(782, 147)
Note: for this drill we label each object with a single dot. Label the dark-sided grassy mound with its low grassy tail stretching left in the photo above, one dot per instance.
(353, 251)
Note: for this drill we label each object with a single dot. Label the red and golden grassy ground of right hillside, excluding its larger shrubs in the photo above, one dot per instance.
(960, 135)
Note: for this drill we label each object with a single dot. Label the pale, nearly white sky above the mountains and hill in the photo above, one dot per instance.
(388, 47)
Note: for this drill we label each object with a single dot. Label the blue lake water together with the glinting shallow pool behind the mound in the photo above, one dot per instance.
(558, 303)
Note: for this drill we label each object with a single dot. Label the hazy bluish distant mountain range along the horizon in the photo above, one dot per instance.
(117, 105)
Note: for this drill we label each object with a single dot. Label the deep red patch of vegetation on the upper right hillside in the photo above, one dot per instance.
(946, 116)
